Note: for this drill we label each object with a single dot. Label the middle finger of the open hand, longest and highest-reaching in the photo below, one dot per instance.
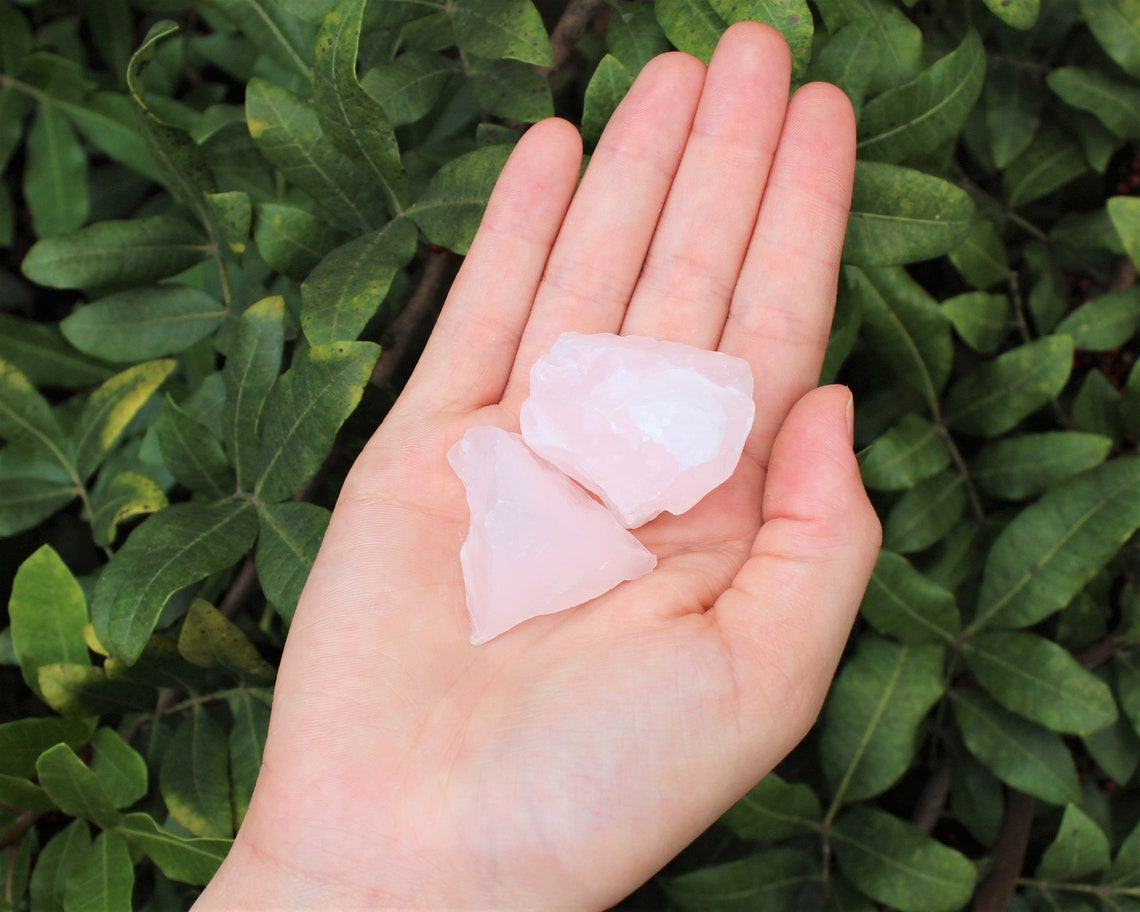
(695, 260)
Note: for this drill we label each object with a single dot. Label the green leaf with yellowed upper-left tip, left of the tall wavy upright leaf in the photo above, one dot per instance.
(288, 133)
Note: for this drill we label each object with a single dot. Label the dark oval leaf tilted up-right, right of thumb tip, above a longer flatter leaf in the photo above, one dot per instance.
(1012, 387)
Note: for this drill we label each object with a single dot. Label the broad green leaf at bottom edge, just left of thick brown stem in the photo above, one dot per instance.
(894, 864)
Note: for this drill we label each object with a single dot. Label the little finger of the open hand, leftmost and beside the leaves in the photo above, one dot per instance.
(469, 359)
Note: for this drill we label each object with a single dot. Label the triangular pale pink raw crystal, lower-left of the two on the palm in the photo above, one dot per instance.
(536, 543)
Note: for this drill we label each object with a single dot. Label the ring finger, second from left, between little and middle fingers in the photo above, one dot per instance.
(599, 255)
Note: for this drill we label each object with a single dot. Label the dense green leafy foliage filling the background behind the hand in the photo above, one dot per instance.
(216, 213)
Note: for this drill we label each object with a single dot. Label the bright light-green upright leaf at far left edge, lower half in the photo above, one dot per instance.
(48, 612)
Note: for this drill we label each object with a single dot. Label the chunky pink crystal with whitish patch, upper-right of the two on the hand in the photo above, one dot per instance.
(647, 426)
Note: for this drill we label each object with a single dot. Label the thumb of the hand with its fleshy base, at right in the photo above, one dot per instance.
(789, 612)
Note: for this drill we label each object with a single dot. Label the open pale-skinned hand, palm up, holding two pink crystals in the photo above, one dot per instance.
(563, 764)
